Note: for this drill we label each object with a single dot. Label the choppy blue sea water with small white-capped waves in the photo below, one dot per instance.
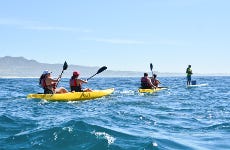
(175, 118)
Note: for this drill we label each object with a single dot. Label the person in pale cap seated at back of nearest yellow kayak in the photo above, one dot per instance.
(49, 84)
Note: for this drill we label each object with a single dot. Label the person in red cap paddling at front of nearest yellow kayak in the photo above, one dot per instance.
(76, 84)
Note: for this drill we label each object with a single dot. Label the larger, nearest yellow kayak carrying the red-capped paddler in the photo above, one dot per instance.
(72, 96)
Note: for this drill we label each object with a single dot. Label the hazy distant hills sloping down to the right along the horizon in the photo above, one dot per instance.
(22, 67)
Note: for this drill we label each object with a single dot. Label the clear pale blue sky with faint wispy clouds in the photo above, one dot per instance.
(121, 34)
